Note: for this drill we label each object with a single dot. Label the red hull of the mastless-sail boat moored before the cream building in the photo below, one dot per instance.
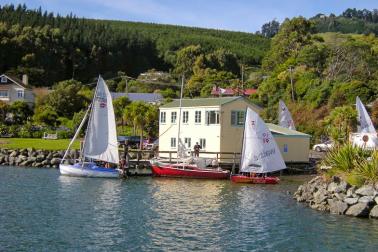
(188, 171)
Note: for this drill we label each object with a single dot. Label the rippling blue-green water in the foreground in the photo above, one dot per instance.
(42, 211)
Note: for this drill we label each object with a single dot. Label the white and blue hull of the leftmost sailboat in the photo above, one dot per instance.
(76, 171)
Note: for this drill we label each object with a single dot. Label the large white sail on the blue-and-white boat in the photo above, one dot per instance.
(101, 138)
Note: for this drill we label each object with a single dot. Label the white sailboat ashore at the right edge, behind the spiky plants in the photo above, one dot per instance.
(366, 136)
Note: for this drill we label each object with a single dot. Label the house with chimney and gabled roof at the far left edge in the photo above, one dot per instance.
(12, 89)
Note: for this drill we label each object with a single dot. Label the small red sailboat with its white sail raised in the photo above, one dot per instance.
(260, 153)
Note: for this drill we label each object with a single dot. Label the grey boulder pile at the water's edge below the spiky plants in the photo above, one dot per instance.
(338, 197)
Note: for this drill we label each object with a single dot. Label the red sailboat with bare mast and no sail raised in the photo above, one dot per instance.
(186, 166)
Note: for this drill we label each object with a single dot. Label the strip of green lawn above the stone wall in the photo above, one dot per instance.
(36, 143)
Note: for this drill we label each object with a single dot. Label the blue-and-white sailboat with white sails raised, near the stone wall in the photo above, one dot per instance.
(100, 142)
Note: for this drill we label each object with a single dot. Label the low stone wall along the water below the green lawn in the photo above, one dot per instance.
(34, 158)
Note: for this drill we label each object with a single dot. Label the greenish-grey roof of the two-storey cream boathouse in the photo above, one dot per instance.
(197, 102)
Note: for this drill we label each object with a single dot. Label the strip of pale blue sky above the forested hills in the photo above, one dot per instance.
(235, 15)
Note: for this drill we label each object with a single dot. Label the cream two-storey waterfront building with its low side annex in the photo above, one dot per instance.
(217, 124)
